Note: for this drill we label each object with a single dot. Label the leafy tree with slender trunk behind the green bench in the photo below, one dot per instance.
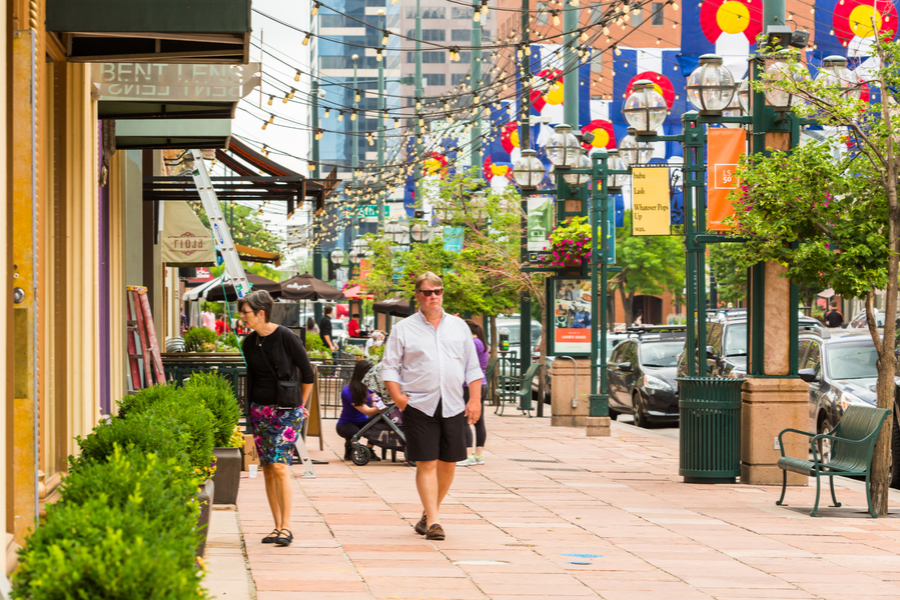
(832, 216)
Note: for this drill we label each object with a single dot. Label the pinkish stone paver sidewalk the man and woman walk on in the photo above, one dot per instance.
(554, 514)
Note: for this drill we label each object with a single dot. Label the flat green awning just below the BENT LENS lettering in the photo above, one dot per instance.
(172, 133)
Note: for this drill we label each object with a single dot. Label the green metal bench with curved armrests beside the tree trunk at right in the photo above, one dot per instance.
(853, 442)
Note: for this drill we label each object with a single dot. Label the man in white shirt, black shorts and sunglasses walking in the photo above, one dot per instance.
(428, 358)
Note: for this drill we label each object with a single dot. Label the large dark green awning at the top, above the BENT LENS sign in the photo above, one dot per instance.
(160, 31)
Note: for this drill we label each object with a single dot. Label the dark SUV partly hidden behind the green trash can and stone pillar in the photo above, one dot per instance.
(726, 345)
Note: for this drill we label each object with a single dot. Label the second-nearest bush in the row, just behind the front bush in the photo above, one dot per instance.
(155, 433)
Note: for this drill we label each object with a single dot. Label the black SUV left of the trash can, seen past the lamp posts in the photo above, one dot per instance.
(641, 374)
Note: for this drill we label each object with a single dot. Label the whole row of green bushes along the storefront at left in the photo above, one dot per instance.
(126, 526)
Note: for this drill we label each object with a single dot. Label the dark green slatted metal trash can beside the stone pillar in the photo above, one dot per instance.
(710, 435)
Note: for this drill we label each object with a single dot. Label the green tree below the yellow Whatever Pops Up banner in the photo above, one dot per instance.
(650, 265)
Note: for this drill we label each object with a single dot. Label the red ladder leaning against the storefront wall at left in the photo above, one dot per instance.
(140, 323)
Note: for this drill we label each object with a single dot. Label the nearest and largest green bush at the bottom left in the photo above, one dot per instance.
(124, 529)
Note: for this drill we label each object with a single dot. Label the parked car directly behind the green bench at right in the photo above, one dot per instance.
(841, 372)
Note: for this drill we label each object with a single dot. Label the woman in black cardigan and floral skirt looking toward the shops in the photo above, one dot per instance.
(273, 353)
